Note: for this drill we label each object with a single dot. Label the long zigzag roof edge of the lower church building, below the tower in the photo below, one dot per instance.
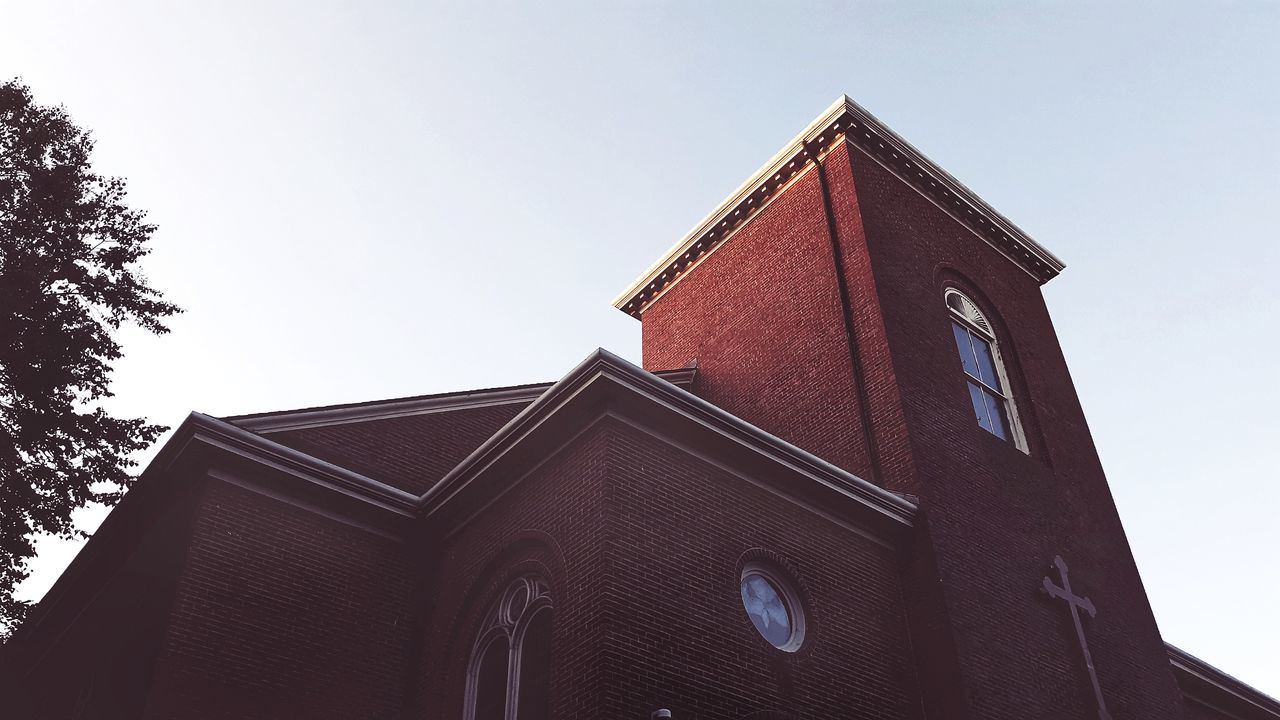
(205, 446)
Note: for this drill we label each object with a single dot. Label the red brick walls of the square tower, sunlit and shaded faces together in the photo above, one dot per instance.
(760, 317)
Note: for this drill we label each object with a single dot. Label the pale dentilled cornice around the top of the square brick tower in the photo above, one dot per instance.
(844, 121)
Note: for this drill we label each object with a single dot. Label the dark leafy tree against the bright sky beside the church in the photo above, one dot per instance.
(70, 249)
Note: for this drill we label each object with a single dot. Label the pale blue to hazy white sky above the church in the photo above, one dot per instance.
(365, 200)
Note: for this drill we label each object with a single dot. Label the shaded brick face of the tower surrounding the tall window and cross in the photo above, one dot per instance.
(998, 517)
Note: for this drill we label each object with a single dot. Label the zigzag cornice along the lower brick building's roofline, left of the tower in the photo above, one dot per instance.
(207, 449)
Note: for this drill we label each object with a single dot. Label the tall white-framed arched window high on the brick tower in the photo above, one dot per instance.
(989, 384)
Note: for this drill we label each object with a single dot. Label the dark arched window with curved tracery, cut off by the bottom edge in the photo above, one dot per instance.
(510, 672)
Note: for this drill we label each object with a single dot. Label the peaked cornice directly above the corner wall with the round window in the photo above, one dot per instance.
(606, 386)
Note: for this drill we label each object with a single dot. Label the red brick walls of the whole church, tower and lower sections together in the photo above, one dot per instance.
(237, 604)
